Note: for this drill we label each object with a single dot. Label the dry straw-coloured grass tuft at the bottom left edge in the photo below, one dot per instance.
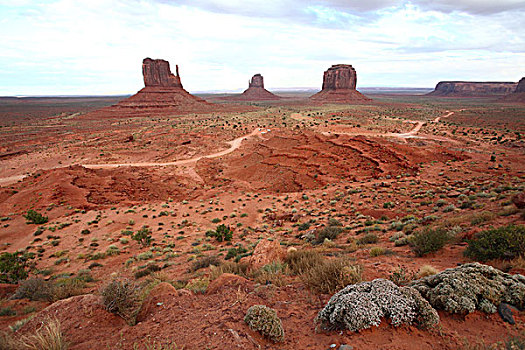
(48, 337)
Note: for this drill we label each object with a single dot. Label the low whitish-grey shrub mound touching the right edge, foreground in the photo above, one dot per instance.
(471, 287)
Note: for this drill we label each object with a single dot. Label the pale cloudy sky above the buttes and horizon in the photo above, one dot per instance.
(96, 47)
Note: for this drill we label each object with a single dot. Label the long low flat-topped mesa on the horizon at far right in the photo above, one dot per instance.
(472, 89)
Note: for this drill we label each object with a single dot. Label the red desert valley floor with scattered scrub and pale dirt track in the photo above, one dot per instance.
(351, 183)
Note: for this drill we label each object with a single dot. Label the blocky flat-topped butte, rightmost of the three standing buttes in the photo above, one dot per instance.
(339, 86)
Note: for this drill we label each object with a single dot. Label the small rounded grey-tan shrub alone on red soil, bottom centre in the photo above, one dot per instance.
(264, 320)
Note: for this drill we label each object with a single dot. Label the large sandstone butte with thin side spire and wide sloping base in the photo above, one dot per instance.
(163, 94)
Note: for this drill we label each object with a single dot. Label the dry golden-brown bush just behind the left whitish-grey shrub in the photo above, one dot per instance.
(331, 275)
